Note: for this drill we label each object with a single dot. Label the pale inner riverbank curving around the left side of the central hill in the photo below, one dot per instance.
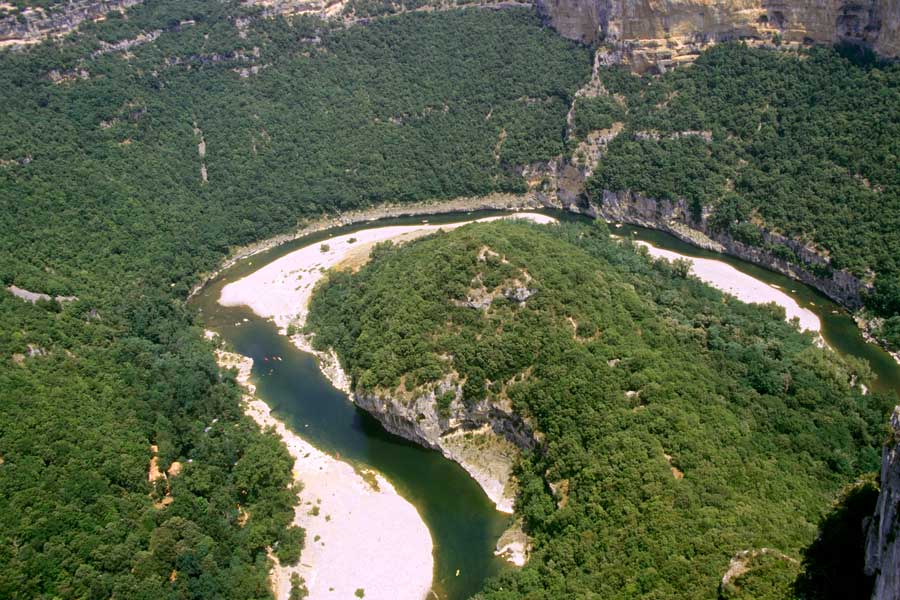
(281, 291)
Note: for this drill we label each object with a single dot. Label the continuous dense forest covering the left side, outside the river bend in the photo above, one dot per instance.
(104, 136)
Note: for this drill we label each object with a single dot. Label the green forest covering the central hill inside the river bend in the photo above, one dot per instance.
(680, 425)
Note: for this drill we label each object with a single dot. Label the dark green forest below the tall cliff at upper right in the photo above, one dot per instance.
(806, 145)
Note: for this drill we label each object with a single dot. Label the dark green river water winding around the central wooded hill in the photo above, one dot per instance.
(463, 522)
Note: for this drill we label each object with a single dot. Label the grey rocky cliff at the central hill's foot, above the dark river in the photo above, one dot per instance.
(484, 438)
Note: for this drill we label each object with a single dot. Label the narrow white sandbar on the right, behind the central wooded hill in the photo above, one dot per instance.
(723, 276)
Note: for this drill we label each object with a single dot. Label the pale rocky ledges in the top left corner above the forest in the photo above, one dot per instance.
(34, 25)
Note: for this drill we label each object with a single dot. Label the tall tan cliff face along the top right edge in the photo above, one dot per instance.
(649, 33)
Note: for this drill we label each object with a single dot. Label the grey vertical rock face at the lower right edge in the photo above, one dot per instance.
(883, 543)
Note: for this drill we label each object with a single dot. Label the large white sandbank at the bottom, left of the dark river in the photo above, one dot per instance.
(360, 533)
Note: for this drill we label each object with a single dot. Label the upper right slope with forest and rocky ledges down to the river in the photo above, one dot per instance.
(748, 152)
